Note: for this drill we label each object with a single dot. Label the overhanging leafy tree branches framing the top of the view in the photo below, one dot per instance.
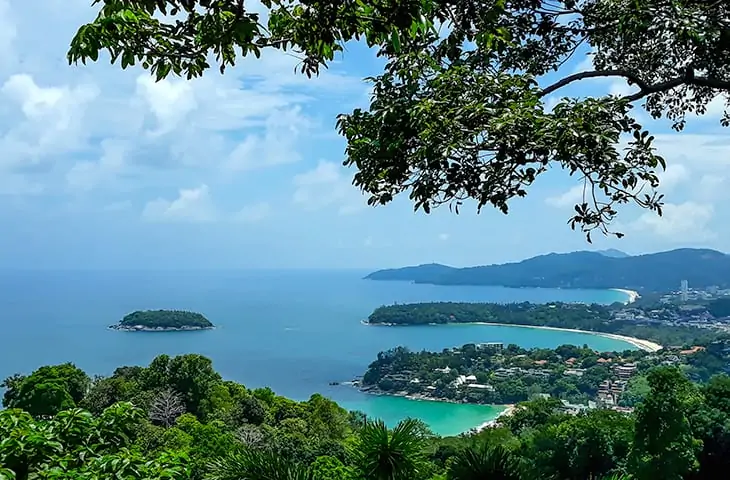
(461, 109)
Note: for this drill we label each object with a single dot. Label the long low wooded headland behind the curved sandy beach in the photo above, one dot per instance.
(579, 316)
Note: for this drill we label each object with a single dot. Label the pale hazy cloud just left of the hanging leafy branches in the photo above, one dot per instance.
(326, 185)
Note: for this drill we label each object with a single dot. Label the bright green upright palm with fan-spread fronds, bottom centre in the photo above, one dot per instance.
(382, 454)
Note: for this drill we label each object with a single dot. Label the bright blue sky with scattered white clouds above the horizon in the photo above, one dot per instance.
(105, 169)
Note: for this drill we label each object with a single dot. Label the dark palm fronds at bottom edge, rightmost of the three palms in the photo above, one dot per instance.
(484, 463)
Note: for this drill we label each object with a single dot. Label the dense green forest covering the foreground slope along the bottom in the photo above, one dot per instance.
(178, 419)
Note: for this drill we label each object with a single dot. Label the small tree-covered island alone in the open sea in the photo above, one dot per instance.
(162, 321)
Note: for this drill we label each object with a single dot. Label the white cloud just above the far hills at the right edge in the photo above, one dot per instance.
(685, 222)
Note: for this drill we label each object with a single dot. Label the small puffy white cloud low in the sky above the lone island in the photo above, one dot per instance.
(191, 205)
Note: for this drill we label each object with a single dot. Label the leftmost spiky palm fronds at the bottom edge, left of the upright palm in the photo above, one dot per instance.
(253, 464)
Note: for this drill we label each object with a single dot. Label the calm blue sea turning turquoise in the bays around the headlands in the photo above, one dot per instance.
(294, 331)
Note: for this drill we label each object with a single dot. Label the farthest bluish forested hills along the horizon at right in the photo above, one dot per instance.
(655, 272)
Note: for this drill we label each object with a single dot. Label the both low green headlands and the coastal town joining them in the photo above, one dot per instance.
(694, 333)
